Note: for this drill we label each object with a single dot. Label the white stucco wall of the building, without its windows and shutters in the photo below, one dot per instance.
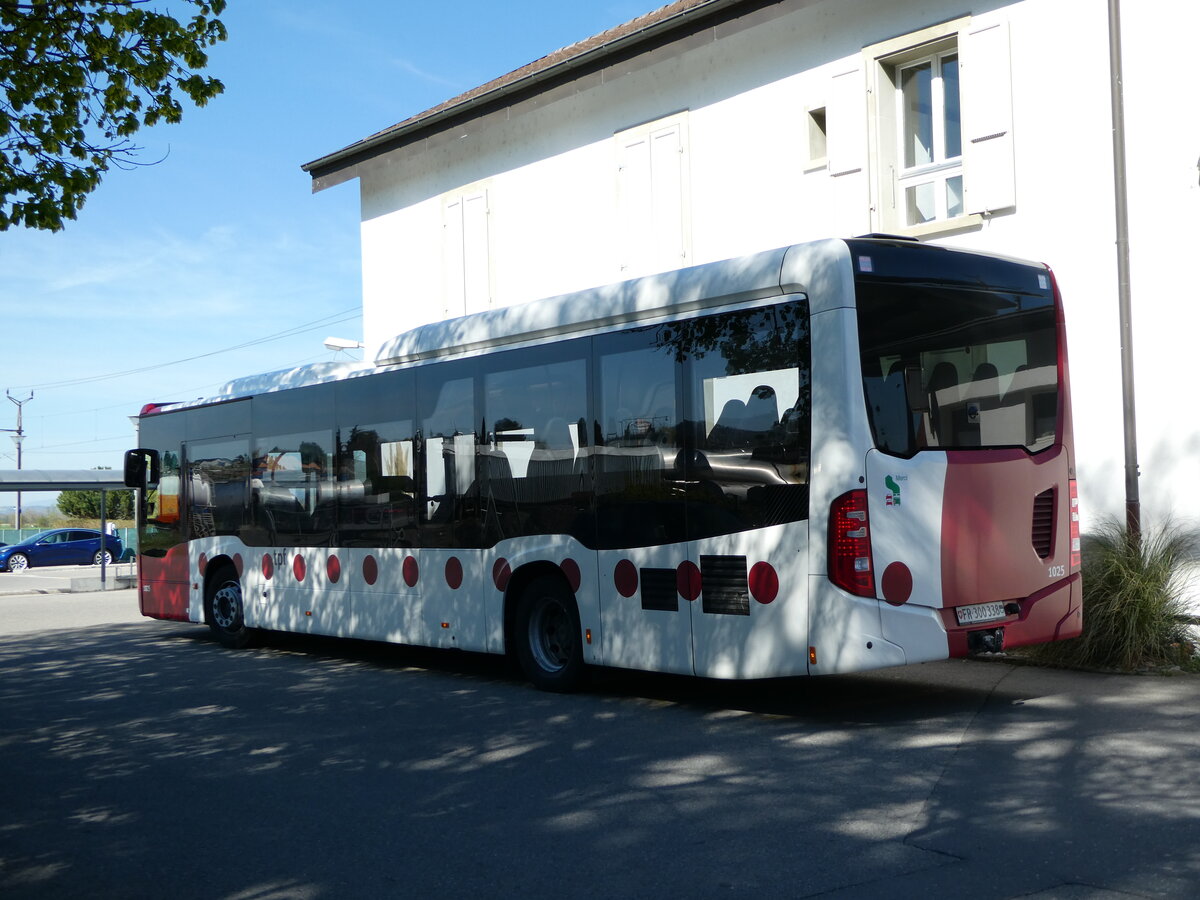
(550, 171)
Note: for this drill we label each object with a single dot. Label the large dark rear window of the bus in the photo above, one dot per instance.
(959, 365)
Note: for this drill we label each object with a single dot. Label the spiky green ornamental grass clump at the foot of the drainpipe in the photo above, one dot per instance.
(1133, 603)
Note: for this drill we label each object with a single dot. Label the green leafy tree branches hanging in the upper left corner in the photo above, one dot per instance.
(79, 79)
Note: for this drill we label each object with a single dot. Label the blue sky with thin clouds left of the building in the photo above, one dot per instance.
(223, 243)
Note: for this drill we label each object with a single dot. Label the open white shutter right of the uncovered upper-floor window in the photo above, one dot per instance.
(988, 151)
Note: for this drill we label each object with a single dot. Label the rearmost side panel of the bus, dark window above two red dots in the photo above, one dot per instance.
(746, 475)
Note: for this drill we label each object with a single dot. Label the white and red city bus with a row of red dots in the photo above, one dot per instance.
(830, 458)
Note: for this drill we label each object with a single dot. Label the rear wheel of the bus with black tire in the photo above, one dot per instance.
(548, 637)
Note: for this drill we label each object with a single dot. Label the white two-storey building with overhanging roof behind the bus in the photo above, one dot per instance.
(710, 129)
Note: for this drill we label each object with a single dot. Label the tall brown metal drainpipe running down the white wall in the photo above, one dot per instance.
(1133, 501)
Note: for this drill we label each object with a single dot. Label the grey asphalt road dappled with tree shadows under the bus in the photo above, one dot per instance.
(142, 760)
